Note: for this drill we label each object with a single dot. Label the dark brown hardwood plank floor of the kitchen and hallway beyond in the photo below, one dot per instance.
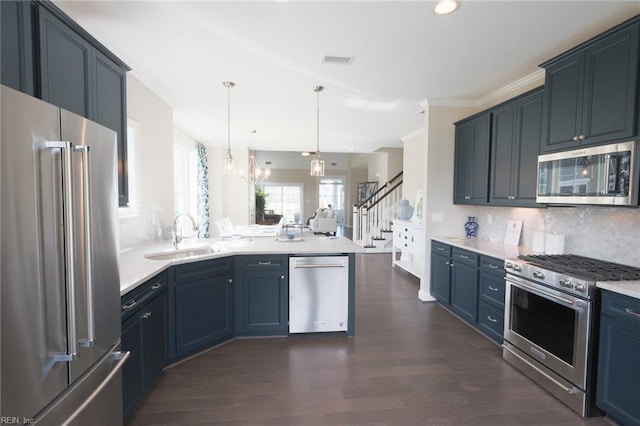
(410, 363)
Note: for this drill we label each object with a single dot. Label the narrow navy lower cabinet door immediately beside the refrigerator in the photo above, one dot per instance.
(133, 369)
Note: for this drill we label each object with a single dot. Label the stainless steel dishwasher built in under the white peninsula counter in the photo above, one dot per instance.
(318, 294)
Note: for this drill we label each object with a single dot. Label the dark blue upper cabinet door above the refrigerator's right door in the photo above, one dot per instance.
(66, 66)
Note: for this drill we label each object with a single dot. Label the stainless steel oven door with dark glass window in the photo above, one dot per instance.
(549, 327)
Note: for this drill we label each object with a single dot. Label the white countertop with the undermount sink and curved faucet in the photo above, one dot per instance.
(135, 268)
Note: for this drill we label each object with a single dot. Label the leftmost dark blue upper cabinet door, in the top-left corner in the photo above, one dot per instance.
(17, 46)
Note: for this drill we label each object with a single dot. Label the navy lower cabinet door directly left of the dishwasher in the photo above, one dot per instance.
(265, 302)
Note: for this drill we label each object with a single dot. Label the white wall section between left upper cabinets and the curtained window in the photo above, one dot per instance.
(154, 118)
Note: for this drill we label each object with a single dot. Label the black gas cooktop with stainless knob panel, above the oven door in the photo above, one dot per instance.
(570, 273)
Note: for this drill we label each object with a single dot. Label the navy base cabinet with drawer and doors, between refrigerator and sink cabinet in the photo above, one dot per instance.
(144, 335)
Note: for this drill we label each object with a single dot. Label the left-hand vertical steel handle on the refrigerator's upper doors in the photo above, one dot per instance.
(66, 149)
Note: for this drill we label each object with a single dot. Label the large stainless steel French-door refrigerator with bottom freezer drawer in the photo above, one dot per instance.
(60, 294)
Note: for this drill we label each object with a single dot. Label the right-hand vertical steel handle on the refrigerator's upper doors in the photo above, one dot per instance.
(86, 200)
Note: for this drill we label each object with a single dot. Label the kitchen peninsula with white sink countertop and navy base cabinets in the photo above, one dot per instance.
(177, 303)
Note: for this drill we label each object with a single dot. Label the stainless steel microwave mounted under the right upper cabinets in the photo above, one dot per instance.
(603, 175)
